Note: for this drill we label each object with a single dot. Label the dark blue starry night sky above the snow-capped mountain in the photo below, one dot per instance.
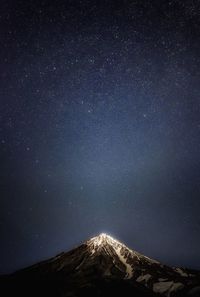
(99, 127)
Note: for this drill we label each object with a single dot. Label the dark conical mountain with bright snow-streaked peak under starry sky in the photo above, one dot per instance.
(101, 266)
